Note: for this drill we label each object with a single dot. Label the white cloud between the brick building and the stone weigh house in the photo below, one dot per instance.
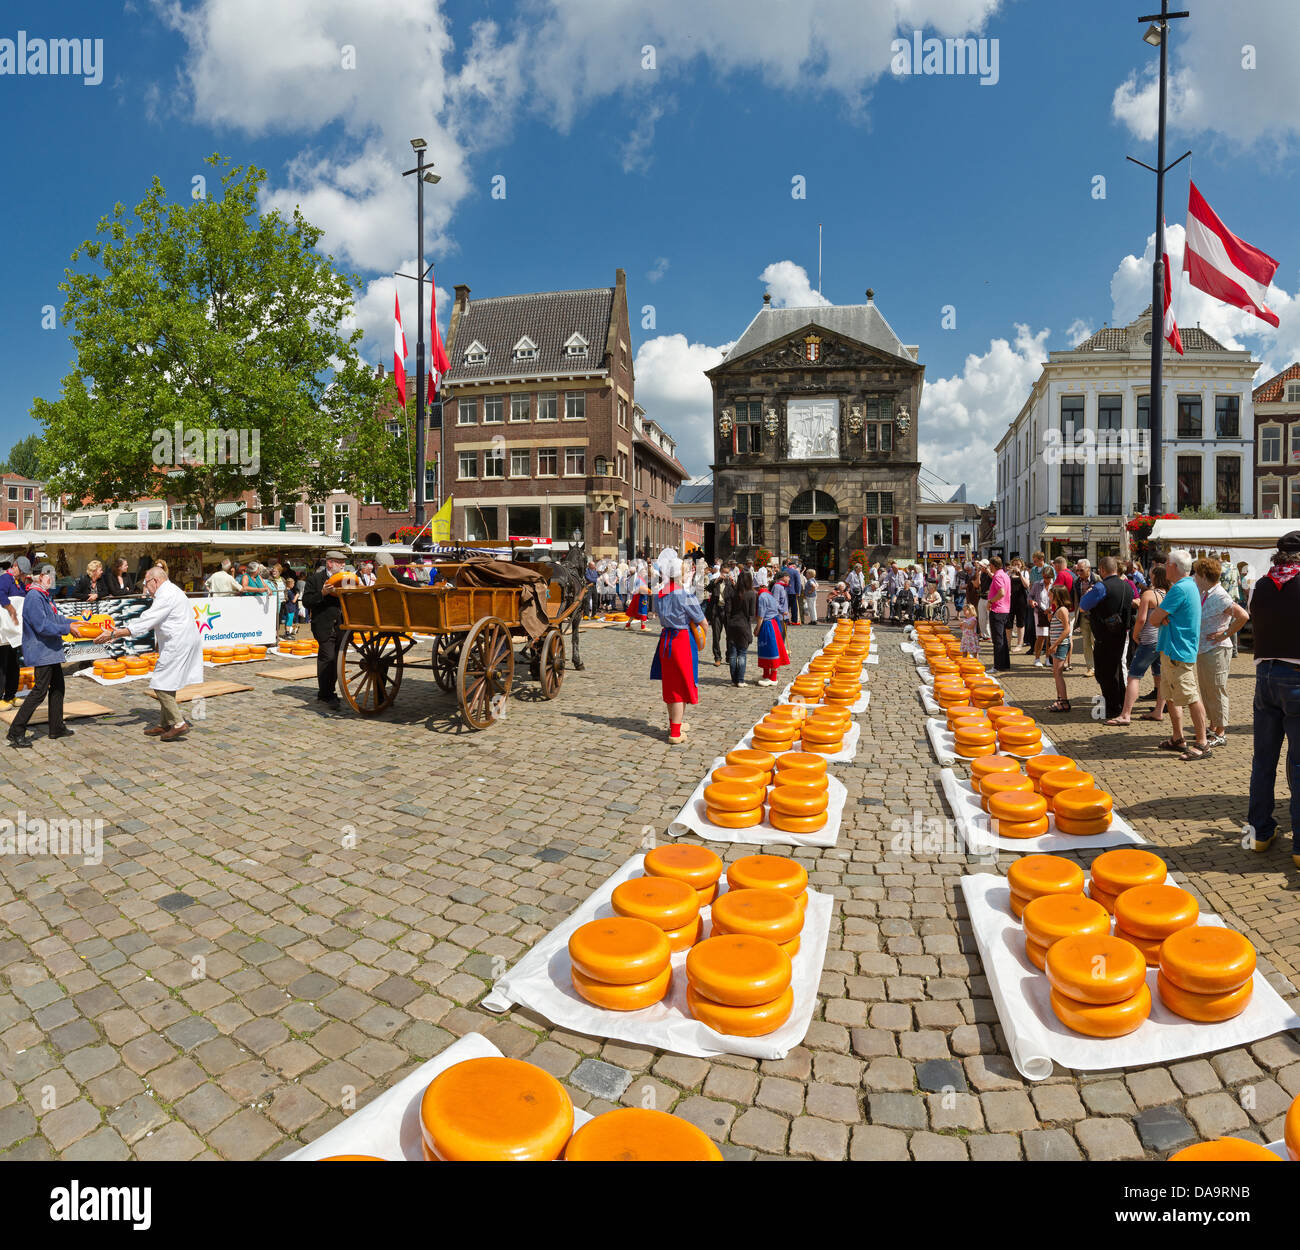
(673, 389)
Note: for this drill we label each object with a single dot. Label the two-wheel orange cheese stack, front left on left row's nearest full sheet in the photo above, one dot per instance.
(622, 963)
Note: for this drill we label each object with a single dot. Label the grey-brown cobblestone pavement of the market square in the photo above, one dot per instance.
(294, 906)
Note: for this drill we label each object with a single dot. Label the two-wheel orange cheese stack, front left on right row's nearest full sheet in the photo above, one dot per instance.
(1099, 986)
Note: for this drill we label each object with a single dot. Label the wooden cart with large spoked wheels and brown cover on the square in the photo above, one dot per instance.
(474, 627)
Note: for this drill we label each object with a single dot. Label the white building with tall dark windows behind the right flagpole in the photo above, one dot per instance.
(1074, 465)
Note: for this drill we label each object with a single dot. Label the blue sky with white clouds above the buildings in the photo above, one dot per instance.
(934, 190)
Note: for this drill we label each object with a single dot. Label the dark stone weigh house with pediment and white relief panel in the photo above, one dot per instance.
(816, 437)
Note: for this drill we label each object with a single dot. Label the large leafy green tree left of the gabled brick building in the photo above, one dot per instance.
(213, 359)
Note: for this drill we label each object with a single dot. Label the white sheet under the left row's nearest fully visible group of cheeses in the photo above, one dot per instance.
(541, 982)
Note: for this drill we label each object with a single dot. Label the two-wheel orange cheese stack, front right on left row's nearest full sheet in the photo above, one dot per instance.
(740, 986)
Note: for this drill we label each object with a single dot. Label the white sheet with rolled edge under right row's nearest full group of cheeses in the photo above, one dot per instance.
(1035, 1036)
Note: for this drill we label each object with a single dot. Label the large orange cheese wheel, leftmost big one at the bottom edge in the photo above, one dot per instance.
(496, 1110)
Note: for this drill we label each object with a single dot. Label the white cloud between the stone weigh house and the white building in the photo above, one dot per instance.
(964, 416)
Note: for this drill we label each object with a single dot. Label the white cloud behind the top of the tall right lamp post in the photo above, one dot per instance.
(1232, 72)
